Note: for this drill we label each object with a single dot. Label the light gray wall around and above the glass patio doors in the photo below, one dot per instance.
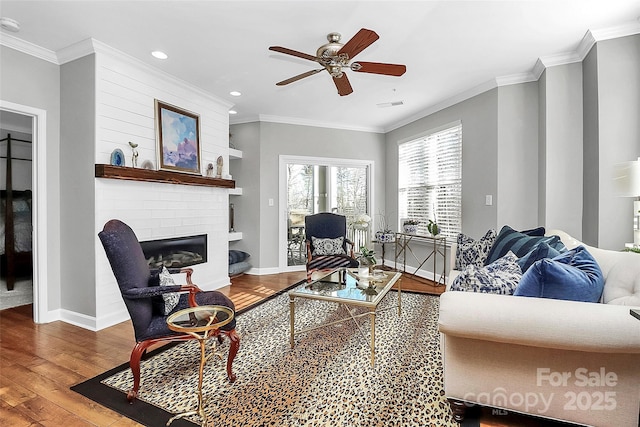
(263, 150)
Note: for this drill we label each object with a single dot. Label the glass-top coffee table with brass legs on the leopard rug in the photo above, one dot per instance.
(345, 287)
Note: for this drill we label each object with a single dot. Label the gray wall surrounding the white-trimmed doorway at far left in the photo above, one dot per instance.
(33, 82)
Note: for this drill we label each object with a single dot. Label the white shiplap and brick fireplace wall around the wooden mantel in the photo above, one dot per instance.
(125, 92)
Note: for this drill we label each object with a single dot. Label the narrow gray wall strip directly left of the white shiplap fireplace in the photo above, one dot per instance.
(77, 207)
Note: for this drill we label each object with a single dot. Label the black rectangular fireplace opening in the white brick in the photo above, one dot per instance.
(176, 252)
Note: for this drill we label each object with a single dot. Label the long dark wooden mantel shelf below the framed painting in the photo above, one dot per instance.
(167, 177)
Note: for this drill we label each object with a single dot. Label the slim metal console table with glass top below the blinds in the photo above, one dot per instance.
(435, 246)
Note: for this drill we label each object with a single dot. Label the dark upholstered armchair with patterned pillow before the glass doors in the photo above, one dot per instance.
(327, 243)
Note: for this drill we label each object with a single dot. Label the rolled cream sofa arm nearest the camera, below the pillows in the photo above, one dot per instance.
(539, 322)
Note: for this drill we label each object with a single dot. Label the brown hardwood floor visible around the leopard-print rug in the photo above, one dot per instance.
(38, 363)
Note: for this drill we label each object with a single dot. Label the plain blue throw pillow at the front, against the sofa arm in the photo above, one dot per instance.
(574, 275)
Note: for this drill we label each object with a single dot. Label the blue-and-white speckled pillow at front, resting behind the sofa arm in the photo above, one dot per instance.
(500, 277)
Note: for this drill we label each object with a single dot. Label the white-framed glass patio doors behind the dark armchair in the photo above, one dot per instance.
(310, 185)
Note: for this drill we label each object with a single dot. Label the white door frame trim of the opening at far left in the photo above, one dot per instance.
(37, 118)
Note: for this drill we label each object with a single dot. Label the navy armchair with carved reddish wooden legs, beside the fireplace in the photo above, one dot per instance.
(142, 296)
